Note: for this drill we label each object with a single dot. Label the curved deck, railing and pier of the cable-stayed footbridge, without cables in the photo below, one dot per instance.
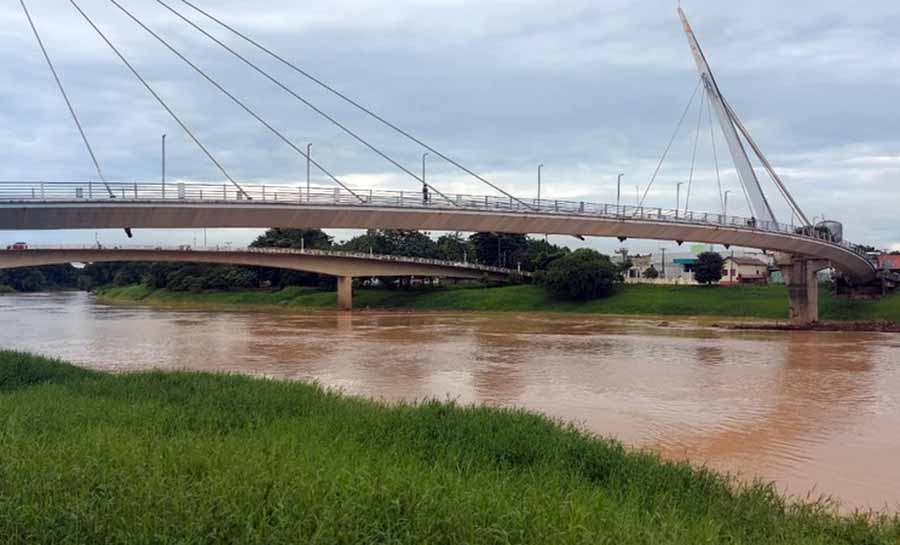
(88, 205)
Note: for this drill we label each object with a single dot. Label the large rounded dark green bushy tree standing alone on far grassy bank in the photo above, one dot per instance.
(581, 275)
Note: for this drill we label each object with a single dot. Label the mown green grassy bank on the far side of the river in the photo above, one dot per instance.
(768, 302)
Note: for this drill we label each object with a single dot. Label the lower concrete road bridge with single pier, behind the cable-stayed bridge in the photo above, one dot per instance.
(345, 266)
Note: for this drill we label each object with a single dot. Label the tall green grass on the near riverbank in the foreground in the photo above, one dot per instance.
(160, 457)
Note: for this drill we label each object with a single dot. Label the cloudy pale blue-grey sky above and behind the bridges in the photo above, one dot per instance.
(589, 89)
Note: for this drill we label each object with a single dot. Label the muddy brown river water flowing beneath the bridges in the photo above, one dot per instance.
(815, 412)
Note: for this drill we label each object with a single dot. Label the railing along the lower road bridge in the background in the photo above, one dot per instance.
(185, 248)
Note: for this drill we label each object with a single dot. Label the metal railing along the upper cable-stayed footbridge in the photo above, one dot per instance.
(280, 194)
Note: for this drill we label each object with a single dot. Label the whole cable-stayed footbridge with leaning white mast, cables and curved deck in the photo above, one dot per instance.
(801, 248)
